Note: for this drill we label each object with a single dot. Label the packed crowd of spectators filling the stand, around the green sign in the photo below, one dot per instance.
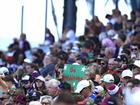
(111, 53)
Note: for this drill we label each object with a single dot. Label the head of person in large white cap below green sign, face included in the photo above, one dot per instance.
(85, 87)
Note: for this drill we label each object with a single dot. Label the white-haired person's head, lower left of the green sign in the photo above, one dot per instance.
(53, 87)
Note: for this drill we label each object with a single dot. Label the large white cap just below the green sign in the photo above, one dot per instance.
(81, 85)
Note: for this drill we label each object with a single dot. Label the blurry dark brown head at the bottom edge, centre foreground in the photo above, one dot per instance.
(65, 99)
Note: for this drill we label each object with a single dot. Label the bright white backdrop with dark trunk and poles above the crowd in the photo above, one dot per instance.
(33, 16)
